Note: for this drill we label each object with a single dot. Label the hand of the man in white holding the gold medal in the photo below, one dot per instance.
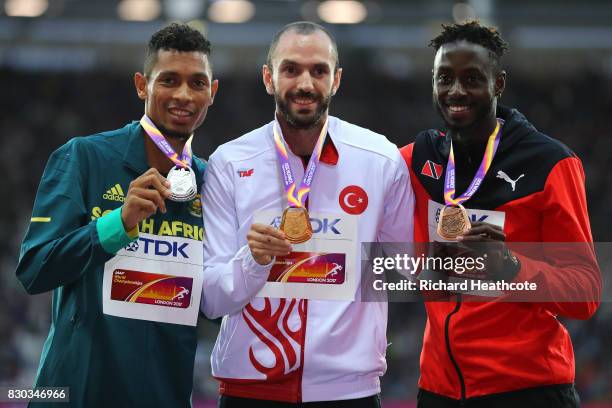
(266, 242)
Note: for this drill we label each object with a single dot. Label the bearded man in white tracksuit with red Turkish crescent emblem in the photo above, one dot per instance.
(277, 351)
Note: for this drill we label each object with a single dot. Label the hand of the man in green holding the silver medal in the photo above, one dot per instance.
(145, 195)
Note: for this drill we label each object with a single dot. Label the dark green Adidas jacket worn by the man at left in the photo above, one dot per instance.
(106, 361)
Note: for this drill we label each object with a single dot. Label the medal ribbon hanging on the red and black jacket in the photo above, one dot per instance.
(449, 179)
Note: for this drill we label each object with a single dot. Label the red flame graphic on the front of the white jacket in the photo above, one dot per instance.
(271, 327)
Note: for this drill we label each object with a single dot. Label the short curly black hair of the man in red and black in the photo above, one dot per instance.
(474, 32)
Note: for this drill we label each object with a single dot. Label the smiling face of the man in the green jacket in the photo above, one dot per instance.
(178, 91)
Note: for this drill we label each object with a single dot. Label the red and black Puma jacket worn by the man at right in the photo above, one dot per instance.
(478, 348)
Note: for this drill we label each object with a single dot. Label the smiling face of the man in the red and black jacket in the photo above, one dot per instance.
(466, 84)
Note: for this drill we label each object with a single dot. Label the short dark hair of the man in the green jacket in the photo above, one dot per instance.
(175, 36)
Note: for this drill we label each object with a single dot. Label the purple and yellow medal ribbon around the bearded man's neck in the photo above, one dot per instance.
(297, 198)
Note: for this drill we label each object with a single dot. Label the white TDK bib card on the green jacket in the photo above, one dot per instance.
(156, 278)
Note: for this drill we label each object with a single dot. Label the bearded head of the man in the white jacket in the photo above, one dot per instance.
(303, 77)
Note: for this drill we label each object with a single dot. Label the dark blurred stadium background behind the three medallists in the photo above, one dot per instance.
(66, 69)
